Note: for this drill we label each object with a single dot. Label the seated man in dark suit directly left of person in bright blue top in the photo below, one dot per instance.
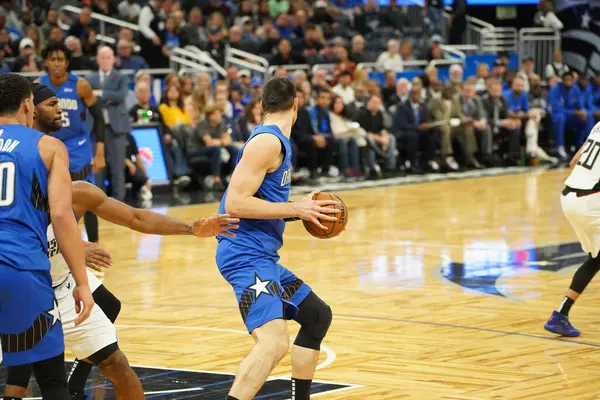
(504, 129)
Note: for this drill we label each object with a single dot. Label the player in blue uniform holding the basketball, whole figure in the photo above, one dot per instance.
(268, 293)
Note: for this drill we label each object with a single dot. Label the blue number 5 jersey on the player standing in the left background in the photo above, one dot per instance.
(74, 133)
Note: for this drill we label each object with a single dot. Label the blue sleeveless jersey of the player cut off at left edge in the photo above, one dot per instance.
(24, 212)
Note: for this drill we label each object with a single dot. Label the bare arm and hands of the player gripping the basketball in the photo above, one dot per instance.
(261, 156)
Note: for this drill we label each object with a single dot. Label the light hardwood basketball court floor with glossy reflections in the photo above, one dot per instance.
(439, 291)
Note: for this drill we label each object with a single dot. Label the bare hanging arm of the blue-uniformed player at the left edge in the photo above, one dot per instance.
(63, 221)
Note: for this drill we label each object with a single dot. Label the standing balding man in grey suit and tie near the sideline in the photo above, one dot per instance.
(111, 88)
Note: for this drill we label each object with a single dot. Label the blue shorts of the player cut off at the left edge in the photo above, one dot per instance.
(30, 327)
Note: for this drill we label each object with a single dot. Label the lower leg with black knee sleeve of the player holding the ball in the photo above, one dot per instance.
(314, 317)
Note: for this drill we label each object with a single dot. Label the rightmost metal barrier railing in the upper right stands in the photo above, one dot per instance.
(539, 43)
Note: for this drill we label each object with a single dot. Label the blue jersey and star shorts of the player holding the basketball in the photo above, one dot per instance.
(265, 290)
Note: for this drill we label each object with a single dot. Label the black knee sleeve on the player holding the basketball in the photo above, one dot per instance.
(314, 317)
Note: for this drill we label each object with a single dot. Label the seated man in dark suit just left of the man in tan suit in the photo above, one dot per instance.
(410, 127)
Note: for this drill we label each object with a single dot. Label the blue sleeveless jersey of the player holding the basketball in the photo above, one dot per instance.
(261, 234)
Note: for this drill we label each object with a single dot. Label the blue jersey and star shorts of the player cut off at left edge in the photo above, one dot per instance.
(30, 330)
